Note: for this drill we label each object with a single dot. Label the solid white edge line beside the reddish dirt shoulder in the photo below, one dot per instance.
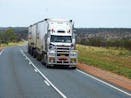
(114, 87)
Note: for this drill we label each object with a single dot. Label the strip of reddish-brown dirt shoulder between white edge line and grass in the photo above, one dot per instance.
(115, 79)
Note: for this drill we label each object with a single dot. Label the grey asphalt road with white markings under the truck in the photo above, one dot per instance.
(21, 76)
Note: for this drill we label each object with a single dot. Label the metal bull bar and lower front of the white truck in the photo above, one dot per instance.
(62, 56)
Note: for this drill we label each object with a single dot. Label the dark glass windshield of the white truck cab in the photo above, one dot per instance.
(63, 39)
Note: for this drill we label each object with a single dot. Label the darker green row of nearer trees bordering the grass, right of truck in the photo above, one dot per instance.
(99, 42)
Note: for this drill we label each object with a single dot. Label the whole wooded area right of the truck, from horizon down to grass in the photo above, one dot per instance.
(104, 37)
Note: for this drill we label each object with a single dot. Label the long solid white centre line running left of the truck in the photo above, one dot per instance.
(43, 75)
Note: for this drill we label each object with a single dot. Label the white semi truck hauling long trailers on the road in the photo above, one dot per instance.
(52, 41)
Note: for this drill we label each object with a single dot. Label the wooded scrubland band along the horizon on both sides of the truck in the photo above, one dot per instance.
(101, 37)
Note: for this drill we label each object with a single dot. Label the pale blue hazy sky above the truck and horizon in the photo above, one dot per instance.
(84, 13)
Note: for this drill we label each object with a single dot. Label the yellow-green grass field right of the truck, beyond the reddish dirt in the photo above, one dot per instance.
(116, 60)
